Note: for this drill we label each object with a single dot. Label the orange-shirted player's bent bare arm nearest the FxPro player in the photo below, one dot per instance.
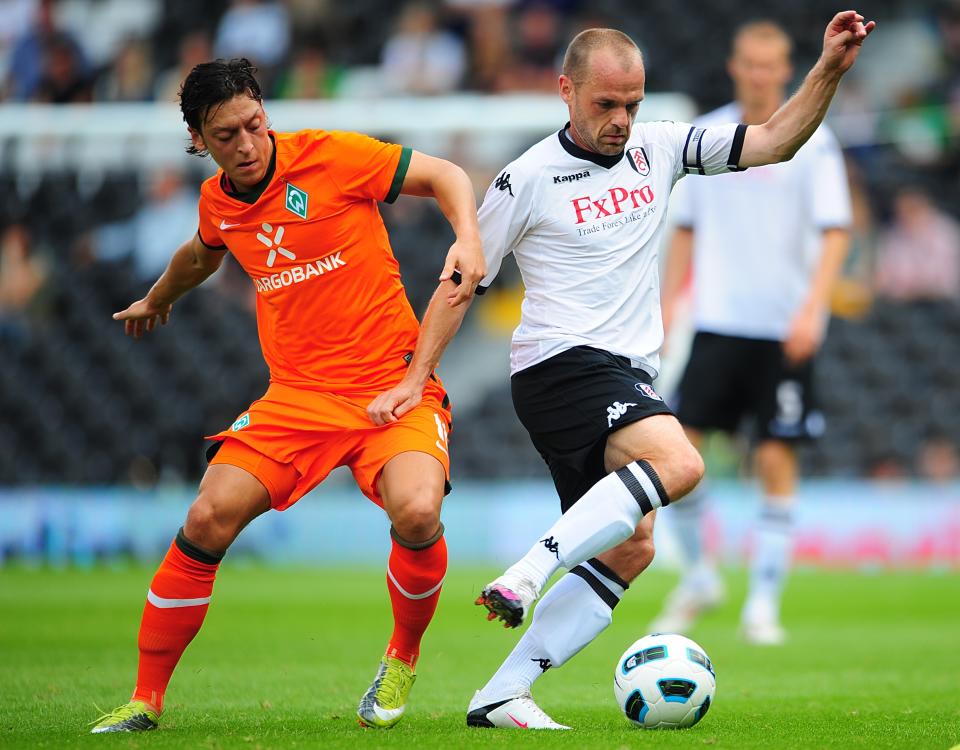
(453, 191)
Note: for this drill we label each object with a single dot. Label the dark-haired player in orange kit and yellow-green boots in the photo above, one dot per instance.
(299, 213)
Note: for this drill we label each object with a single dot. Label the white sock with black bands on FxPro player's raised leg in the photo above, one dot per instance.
(605, 516)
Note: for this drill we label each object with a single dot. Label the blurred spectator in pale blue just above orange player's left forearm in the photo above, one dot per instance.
(166, 220)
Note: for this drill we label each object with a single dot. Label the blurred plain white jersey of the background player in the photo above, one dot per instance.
(758, 235)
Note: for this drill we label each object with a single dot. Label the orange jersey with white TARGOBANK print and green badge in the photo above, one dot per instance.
(331, 310)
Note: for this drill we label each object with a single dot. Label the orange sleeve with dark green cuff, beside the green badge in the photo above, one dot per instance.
(363, 167)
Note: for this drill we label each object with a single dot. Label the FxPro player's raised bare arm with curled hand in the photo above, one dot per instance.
(780, 137)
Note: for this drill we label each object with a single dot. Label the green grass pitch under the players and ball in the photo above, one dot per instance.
(873, 662)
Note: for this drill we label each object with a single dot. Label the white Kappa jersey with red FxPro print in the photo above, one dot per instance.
(586, 231)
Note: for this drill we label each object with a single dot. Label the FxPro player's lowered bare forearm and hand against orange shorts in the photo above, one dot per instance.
(440, 323)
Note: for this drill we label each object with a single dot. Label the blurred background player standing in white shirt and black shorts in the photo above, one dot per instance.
(757, 330)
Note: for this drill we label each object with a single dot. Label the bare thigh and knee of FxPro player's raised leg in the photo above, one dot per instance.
(661, 441)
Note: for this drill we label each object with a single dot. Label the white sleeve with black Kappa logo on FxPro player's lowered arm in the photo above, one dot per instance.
(504, 217)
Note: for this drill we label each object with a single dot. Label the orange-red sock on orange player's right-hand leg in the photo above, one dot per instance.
(414, 578)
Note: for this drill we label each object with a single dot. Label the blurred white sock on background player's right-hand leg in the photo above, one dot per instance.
(773, 546)
